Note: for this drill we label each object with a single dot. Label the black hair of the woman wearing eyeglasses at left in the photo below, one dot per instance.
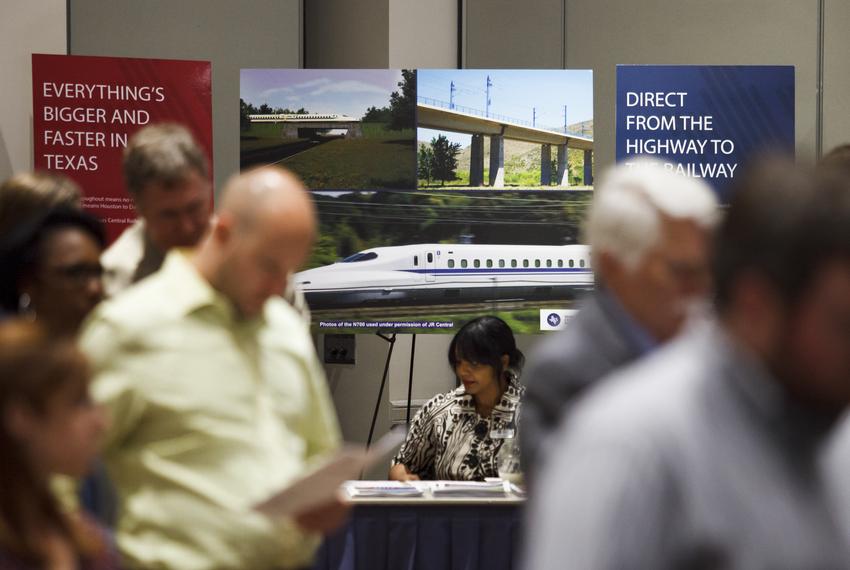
(22, 251)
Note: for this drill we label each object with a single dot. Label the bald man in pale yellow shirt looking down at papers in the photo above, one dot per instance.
(216, 395)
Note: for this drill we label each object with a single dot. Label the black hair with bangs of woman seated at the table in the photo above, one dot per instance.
(485, 340)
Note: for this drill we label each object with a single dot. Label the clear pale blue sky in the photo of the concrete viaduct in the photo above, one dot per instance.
(514, 93)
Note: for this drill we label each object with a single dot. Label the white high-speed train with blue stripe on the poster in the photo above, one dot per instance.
(448, 273)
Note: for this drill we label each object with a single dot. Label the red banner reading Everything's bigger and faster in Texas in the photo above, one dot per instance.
(85, 109)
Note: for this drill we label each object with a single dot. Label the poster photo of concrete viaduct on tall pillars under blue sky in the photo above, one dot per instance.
(505, 128)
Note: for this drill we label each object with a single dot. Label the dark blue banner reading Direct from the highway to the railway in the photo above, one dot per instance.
(704, 121)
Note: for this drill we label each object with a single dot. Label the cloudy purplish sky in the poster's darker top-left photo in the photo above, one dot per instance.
(345, 91)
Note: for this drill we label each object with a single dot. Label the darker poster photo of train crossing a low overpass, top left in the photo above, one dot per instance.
(337, 129)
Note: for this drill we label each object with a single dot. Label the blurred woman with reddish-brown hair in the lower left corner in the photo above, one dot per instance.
(48, 425)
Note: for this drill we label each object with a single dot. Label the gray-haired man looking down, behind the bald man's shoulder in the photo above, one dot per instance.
(168, 177)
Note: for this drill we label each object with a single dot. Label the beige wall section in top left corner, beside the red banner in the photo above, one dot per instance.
(26, 27)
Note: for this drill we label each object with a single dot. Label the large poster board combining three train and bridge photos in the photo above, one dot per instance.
(476, 211)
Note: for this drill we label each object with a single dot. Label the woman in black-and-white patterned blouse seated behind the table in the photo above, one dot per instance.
(452, 436)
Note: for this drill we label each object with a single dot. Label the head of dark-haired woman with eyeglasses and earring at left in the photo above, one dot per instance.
(50, 270)
